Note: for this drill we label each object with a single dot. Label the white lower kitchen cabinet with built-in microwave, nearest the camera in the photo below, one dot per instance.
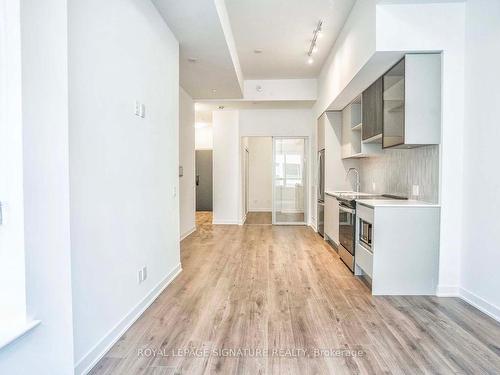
(398, 247)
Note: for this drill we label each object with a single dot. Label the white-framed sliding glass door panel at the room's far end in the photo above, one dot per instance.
(289, 180)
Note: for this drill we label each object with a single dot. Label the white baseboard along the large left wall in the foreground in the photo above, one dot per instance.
(89, 360)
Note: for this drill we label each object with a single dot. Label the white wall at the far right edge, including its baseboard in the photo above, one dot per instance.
(480, 278)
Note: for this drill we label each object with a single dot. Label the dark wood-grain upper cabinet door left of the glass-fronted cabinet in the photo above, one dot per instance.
(372, 101)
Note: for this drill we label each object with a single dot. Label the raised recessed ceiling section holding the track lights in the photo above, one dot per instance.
(283, 30)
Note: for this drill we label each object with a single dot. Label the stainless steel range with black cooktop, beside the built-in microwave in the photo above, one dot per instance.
(347, 223)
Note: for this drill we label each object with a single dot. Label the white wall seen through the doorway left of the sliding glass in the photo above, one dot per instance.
(260, 173)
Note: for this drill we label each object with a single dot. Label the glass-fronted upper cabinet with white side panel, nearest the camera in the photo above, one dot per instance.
(412, 102)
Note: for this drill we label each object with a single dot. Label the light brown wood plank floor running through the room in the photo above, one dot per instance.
(282, 289)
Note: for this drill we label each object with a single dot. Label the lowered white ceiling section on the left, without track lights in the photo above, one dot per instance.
(198, 29)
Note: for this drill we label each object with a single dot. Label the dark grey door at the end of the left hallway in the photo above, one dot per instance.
(204, 180)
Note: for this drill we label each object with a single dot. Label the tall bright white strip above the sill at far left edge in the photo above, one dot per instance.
(12, 277)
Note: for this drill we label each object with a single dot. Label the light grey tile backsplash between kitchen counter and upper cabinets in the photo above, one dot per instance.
(397, 171)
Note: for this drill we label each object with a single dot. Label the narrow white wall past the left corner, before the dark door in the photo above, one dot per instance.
(187, 188)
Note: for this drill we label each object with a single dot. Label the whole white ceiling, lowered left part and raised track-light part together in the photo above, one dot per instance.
(282, 29)
